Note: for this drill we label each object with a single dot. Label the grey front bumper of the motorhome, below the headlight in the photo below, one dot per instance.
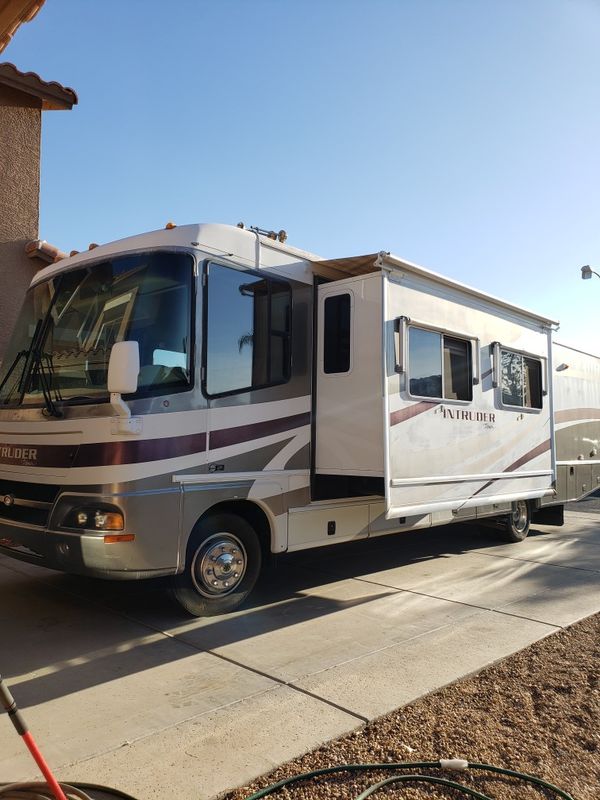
(80, 553)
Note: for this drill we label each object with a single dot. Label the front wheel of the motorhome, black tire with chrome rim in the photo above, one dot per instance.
(223, 561)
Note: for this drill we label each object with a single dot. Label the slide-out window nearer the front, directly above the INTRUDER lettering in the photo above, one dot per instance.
(439, 365)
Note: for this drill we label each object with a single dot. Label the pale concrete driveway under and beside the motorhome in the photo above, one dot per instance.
(119, 689)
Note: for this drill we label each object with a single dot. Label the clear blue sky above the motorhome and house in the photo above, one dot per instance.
(463, 135)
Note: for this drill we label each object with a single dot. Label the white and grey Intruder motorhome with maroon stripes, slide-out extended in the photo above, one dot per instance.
(185, 402)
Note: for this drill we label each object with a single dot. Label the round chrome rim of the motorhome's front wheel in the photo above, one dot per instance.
(219, 565)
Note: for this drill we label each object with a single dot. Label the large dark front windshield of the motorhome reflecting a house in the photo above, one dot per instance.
(64, 334)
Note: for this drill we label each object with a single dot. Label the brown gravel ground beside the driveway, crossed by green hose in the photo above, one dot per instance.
(537, 711)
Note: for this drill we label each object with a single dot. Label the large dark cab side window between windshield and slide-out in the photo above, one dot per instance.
(247, 330)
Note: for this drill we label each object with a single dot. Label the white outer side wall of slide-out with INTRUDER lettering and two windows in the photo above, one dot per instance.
(467, 404)
